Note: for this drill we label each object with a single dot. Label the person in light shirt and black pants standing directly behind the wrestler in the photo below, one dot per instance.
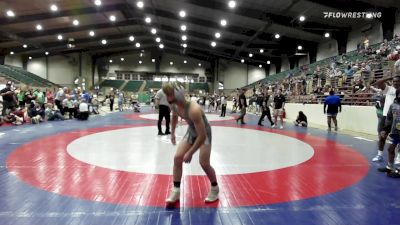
(163, 111)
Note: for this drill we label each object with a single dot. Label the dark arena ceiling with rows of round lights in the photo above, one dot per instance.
(251, 26)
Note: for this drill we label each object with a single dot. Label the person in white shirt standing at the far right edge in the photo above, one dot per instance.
(390, 95)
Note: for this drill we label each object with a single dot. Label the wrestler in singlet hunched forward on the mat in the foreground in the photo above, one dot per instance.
(198, 136)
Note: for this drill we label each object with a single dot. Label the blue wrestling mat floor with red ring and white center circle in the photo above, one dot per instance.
(114, 169)
